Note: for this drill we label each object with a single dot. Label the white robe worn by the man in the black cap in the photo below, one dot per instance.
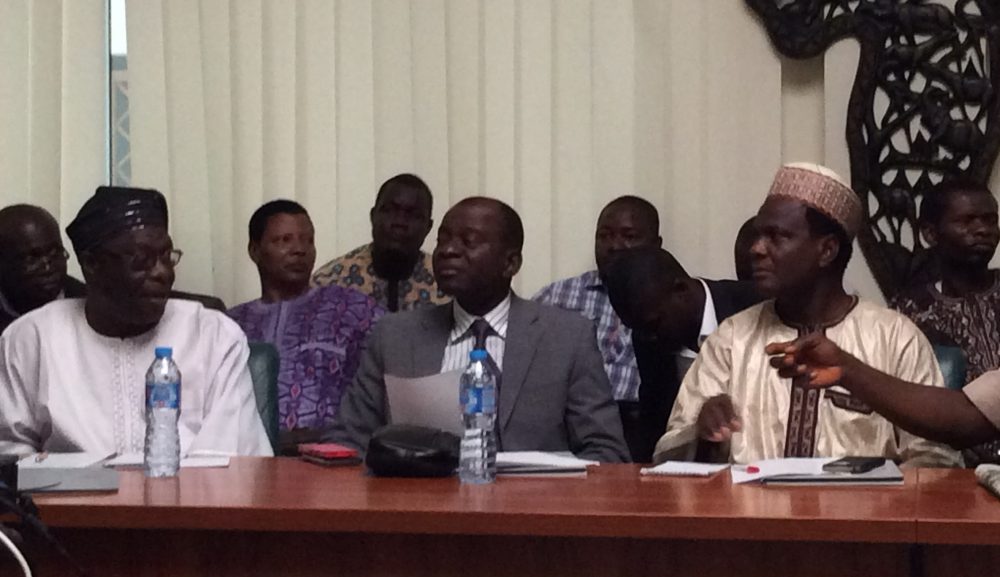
(64, 387)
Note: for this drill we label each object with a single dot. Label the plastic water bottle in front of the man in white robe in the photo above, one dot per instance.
(162, 457)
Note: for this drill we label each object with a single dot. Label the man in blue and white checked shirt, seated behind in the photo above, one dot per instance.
(626, 222)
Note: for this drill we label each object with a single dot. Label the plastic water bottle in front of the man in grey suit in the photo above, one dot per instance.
(478, 396)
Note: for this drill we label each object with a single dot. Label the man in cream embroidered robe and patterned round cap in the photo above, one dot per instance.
(733, 406)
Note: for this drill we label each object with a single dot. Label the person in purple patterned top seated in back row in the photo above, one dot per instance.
(319, 332)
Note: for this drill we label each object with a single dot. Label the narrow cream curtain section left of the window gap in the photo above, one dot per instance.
(53, 102)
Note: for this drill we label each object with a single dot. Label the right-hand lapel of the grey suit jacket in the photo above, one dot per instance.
(523, 333)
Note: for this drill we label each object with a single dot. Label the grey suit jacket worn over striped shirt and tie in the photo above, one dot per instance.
(555, 394)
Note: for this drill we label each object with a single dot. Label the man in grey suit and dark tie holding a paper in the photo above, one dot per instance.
(553, 392)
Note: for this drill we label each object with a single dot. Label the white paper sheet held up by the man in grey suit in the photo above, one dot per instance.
(427, 401)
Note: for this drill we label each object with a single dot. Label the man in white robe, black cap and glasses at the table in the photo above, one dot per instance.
(72, 373)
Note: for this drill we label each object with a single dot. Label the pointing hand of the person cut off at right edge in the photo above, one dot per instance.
(813, 356)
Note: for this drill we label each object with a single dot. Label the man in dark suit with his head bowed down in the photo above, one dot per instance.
(670, 314)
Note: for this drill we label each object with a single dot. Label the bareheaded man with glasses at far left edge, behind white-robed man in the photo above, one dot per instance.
(32, 262)
